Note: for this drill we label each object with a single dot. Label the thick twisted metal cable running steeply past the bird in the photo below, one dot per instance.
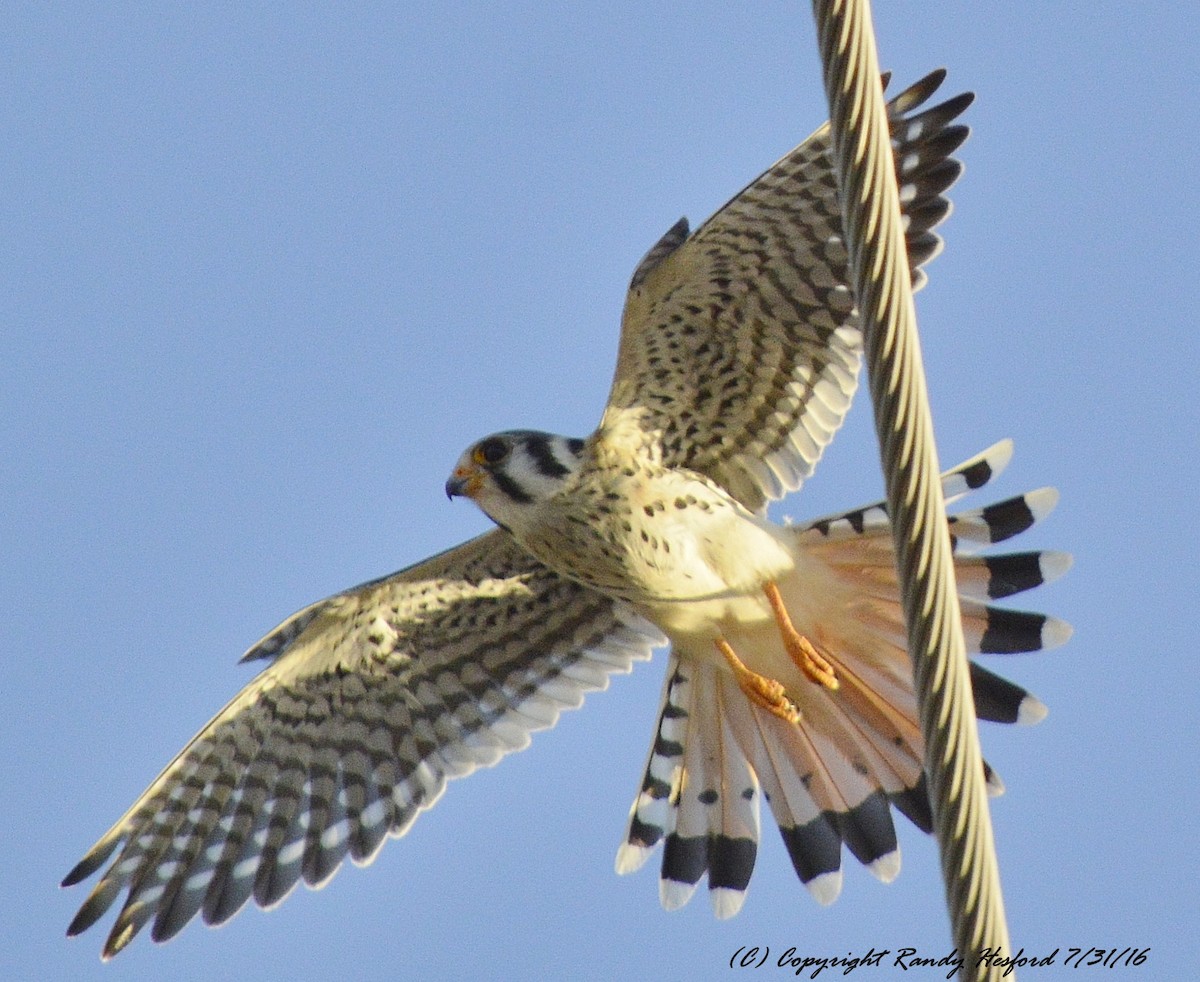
(883, 284)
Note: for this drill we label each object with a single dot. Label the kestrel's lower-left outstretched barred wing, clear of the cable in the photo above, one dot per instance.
(373, 700)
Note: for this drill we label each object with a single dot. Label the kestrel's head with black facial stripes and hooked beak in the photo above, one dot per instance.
(507, 474)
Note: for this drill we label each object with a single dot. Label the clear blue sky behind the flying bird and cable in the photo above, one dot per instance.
(268, 273)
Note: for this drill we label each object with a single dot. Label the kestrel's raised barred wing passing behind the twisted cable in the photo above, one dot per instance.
(741, 345)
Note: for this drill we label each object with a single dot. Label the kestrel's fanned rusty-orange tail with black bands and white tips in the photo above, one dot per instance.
(832, 780)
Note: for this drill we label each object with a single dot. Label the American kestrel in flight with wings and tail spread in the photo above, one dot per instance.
(788, 676)
